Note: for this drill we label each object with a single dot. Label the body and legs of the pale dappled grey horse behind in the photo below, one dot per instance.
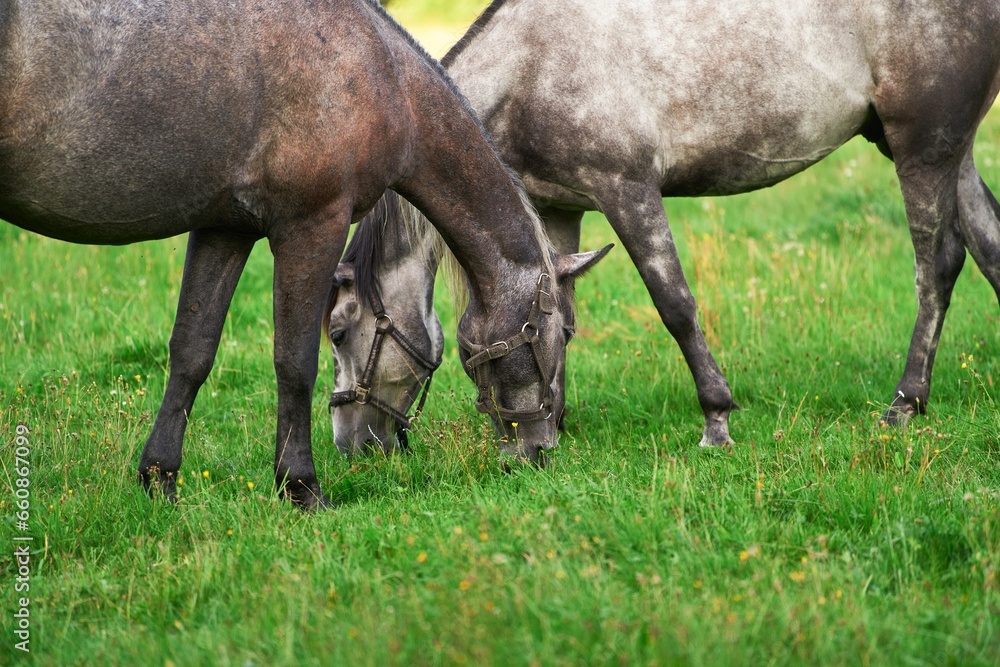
(611, 106)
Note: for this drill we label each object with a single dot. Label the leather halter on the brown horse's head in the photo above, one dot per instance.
(480, 356)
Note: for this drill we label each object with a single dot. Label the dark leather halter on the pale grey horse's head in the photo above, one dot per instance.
(361, 393)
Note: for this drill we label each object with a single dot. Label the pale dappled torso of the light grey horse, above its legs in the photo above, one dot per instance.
(703, 96)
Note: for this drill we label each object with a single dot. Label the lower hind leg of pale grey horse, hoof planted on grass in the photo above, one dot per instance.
(930, 195)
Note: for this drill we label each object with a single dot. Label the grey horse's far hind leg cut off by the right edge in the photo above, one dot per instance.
(979, 218)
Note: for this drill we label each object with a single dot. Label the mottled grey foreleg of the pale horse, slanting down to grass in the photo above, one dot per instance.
(636, 213)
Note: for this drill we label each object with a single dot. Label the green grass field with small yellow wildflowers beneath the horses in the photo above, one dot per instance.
(819, 538)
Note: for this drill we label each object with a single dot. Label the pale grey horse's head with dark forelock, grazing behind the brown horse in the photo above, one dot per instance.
(385, 334)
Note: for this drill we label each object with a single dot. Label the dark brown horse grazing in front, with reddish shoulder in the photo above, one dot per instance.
(248, 120)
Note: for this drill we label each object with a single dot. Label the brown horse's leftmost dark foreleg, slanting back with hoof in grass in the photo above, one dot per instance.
(212, 269)
